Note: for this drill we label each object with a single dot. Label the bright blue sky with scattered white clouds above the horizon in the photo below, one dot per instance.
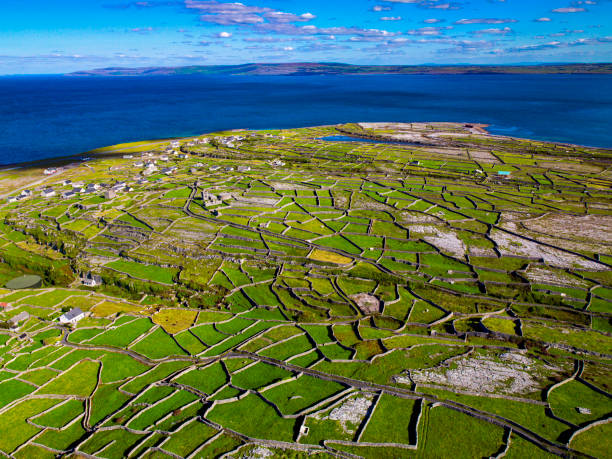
(57, 36)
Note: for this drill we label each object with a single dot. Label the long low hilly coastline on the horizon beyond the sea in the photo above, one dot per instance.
(317, 68)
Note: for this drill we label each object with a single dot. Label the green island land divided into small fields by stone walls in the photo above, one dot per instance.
(383, 300)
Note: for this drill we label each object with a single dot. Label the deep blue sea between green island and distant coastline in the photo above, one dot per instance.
(51, 116)
